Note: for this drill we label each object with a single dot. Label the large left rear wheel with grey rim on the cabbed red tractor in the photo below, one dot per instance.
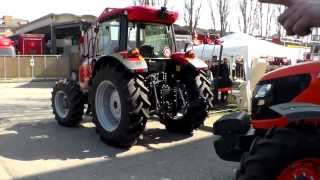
(120, 105)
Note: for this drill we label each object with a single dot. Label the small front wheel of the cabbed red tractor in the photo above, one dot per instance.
(75, 103)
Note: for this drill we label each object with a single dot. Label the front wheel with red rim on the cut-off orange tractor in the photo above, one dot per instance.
(281, 155)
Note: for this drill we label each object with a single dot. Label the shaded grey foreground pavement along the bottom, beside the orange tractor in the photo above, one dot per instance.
(183, 162)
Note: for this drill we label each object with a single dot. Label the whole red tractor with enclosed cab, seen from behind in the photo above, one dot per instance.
(131, 72)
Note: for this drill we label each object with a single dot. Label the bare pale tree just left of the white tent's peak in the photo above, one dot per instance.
(223, 7)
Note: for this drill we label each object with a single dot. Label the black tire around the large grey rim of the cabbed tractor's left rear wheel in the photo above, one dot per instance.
(134, 105)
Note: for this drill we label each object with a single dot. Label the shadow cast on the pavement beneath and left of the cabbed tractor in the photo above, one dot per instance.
(47, 140)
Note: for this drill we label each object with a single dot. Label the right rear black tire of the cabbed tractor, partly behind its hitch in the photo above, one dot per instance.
(199, 97)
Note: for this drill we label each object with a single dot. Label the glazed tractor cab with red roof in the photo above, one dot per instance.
(136, 31)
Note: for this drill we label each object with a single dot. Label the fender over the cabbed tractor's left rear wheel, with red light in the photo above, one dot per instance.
(133, 65)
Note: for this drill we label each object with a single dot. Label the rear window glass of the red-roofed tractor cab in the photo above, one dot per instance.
(153, 40)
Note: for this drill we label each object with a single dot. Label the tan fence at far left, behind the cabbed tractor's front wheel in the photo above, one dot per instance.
(35, 67)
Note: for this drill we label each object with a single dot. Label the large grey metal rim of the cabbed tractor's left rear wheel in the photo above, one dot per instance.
(108, 106)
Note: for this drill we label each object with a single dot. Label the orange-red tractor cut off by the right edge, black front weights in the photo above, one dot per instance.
(281, 138)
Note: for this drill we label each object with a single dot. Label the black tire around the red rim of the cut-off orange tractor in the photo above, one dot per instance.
(270, 155)
